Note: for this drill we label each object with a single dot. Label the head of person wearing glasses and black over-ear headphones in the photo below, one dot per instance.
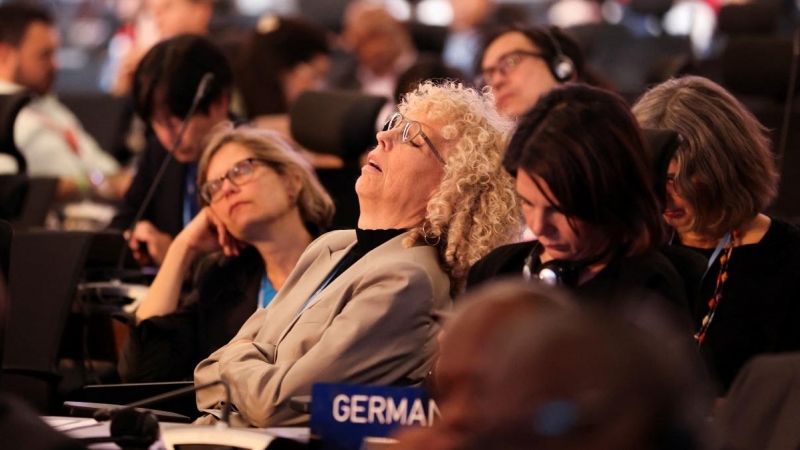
(522, 64)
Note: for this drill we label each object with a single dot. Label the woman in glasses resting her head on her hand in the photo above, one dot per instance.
(263, 205)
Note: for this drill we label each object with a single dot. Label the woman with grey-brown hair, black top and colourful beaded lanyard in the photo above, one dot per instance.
(720, 181)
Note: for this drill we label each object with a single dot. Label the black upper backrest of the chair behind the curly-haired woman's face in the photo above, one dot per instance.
(340, 123)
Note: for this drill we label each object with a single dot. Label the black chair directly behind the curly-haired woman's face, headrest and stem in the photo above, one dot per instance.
(341, 123)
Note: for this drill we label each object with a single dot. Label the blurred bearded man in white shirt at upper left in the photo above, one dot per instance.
(48, 135)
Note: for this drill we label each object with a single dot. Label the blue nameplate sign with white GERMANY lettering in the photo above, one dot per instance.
(342, 415)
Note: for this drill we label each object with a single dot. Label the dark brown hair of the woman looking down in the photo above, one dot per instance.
(585, 144)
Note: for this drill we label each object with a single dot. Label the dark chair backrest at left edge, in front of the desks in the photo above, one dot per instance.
(45, 270)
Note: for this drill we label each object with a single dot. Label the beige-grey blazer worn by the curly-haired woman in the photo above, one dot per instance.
(371, 325)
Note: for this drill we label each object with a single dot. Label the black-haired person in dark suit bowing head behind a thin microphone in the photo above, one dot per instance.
(164, 88)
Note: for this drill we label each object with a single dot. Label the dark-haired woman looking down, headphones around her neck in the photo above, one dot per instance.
(583, 178)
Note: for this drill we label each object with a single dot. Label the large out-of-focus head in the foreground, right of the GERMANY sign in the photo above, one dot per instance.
(522, 367)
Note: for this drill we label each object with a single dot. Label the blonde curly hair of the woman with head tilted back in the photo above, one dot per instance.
(475, 208)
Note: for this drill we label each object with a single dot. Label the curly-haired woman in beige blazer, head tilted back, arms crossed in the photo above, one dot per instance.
(357, 308)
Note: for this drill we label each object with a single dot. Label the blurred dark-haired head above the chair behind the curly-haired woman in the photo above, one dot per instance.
(282, 58)
